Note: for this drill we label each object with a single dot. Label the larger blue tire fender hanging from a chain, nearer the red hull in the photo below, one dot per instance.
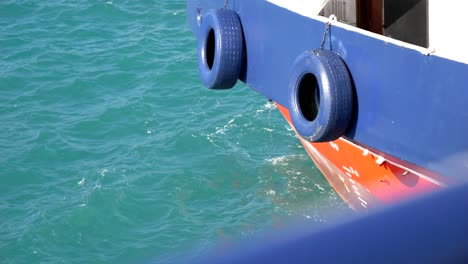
(321, 96)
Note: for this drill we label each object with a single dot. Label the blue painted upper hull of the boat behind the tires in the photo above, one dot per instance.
(409, 105)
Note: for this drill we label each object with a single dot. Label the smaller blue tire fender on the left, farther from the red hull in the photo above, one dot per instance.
(220, 48)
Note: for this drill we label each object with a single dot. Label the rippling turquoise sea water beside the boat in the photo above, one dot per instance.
(111, 151)
